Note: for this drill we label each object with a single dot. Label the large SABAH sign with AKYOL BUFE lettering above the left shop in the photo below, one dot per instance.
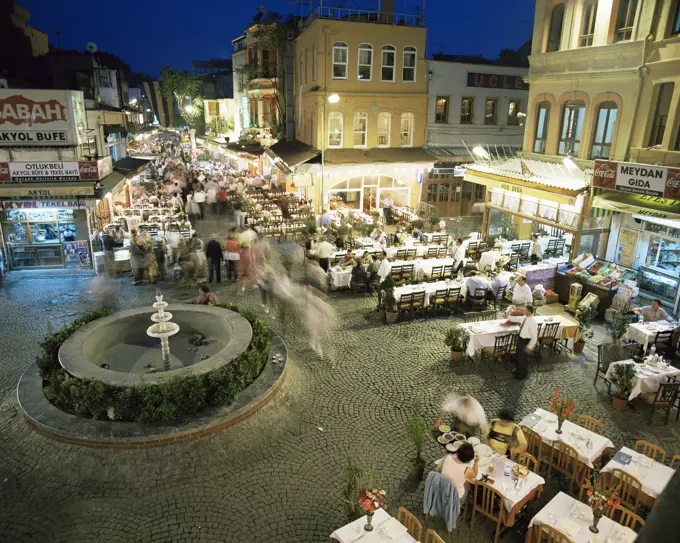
(42, 118)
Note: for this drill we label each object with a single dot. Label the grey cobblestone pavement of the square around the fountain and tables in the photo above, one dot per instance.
(277, 476)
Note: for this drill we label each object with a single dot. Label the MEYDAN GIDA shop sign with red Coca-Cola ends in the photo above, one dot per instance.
(645, 179)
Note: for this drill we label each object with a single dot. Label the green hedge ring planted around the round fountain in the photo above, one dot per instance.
(171, 400)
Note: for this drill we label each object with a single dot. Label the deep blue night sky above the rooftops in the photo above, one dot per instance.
(147, 34)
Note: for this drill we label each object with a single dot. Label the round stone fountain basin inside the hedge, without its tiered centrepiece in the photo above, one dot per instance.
(120, 341)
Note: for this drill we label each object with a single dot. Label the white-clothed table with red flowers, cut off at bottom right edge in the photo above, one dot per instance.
(574, 519)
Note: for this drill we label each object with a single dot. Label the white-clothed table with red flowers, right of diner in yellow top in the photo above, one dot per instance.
(589, 445)
